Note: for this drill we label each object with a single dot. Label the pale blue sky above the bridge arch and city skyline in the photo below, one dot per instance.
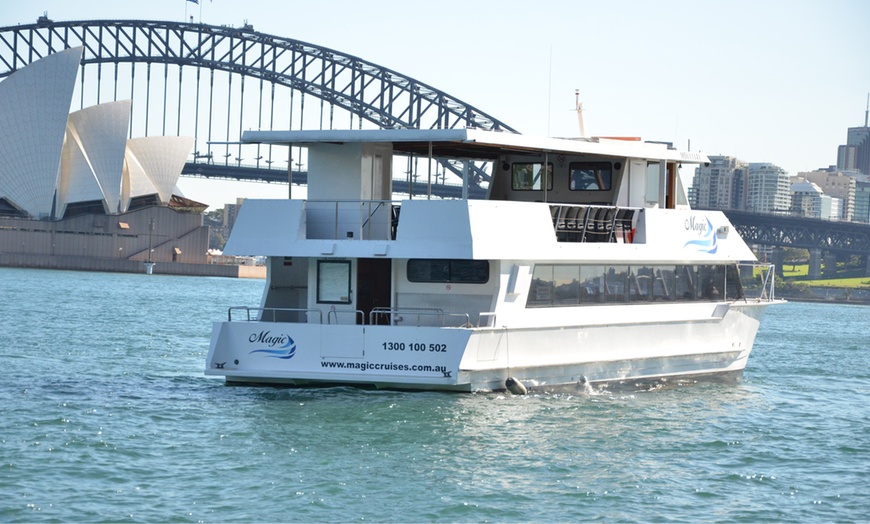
(763, 80)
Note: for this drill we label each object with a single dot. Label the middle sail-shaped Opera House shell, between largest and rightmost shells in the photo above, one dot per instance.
(93, 161)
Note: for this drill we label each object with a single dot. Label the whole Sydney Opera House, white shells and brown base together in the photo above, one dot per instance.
(76, 193)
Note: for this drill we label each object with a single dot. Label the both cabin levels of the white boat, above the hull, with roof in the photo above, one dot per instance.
(350, 254)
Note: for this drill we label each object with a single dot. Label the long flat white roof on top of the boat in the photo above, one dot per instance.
(477, 143)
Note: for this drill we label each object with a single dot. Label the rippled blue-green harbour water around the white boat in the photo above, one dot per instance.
(106, 416)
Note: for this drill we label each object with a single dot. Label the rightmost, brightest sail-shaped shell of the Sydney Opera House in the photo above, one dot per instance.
(161, 158)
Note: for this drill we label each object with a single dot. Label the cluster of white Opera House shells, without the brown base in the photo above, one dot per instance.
(60, 165)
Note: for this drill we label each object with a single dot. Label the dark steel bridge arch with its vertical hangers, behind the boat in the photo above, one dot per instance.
(368, 94)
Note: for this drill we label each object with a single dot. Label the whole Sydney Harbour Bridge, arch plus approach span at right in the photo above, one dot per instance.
(213, 82)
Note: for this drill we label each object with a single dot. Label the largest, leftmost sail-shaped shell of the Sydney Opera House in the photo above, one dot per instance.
(34, 105)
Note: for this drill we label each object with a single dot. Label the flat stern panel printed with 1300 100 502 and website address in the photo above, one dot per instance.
(317, 354)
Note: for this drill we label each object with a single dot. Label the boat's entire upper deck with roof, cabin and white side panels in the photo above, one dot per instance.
(547, 198)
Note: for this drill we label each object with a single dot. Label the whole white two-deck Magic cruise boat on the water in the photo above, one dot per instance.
(583, 264)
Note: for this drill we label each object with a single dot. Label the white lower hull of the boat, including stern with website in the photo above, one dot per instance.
(475, 359)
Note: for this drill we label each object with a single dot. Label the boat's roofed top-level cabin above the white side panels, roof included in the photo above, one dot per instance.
(617, 172)
